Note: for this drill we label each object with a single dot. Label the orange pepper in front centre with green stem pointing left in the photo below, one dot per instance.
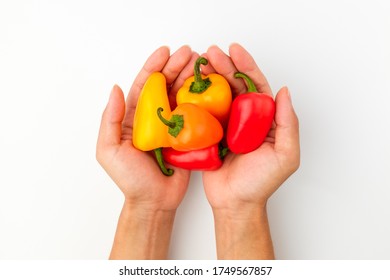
(191, 128)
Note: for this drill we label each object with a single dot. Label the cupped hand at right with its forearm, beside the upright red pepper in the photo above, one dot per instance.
(239, 190)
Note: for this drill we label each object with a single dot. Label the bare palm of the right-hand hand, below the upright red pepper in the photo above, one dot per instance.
(231, 185)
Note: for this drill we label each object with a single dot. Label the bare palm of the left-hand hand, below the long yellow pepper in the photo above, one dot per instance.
(141, 181)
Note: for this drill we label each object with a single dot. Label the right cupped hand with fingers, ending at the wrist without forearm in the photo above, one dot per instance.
(250, 179)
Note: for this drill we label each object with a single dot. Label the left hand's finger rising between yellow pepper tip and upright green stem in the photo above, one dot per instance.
(176, 63)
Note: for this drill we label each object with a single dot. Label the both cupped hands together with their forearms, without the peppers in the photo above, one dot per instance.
(238, 192)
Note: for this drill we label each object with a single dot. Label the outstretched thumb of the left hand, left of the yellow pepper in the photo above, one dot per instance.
(111, 123)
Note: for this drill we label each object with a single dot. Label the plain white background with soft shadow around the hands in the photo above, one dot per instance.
(59, 60)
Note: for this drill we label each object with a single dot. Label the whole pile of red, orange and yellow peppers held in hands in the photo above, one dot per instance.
(206, 123)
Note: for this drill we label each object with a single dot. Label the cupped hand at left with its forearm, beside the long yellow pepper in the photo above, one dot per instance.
(151, 198)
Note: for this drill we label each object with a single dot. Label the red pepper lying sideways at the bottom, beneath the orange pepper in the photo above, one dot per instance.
(206, 159)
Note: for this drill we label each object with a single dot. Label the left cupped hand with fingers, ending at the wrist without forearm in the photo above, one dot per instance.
(135, 172)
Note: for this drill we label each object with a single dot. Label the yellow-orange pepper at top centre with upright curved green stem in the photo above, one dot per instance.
(211, 92)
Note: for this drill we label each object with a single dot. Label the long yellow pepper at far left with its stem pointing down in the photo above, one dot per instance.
(148, 131)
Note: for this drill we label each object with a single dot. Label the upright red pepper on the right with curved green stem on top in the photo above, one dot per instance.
(250, 119)
